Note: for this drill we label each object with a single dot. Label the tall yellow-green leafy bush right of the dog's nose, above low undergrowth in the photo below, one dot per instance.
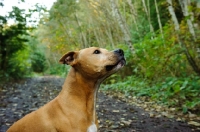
(161, 57)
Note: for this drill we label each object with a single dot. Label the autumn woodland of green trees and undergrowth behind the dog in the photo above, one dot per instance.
(161, 40)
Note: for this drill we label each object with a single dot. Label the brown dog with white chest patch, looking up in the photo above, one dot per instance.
(73, 110)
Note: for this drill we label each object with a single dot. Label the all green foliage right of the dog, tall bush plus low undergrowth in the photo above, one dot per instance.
(160, 70)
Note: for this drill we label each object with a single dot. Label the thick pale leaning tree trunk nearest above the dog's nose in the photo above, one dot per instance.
(122, 24)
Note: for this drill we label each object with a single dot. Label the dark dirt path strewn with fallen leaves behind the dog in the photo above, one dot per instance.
(20, 98)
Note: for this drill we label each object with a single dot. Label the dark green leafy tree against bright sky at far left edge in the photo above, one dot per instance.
(11, 37)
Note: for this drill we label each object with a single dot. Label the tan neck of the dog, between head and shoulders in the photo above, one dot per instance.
(83, 90)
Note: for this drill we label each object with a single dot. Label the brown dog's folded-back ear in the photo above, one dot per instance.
(69, 58)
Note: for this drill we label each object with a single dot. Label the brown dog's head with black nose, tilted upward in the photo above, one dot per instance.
(95, 62)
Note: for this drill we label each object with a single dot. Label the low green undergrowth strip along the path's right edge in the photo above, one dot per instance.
(183, 92)
